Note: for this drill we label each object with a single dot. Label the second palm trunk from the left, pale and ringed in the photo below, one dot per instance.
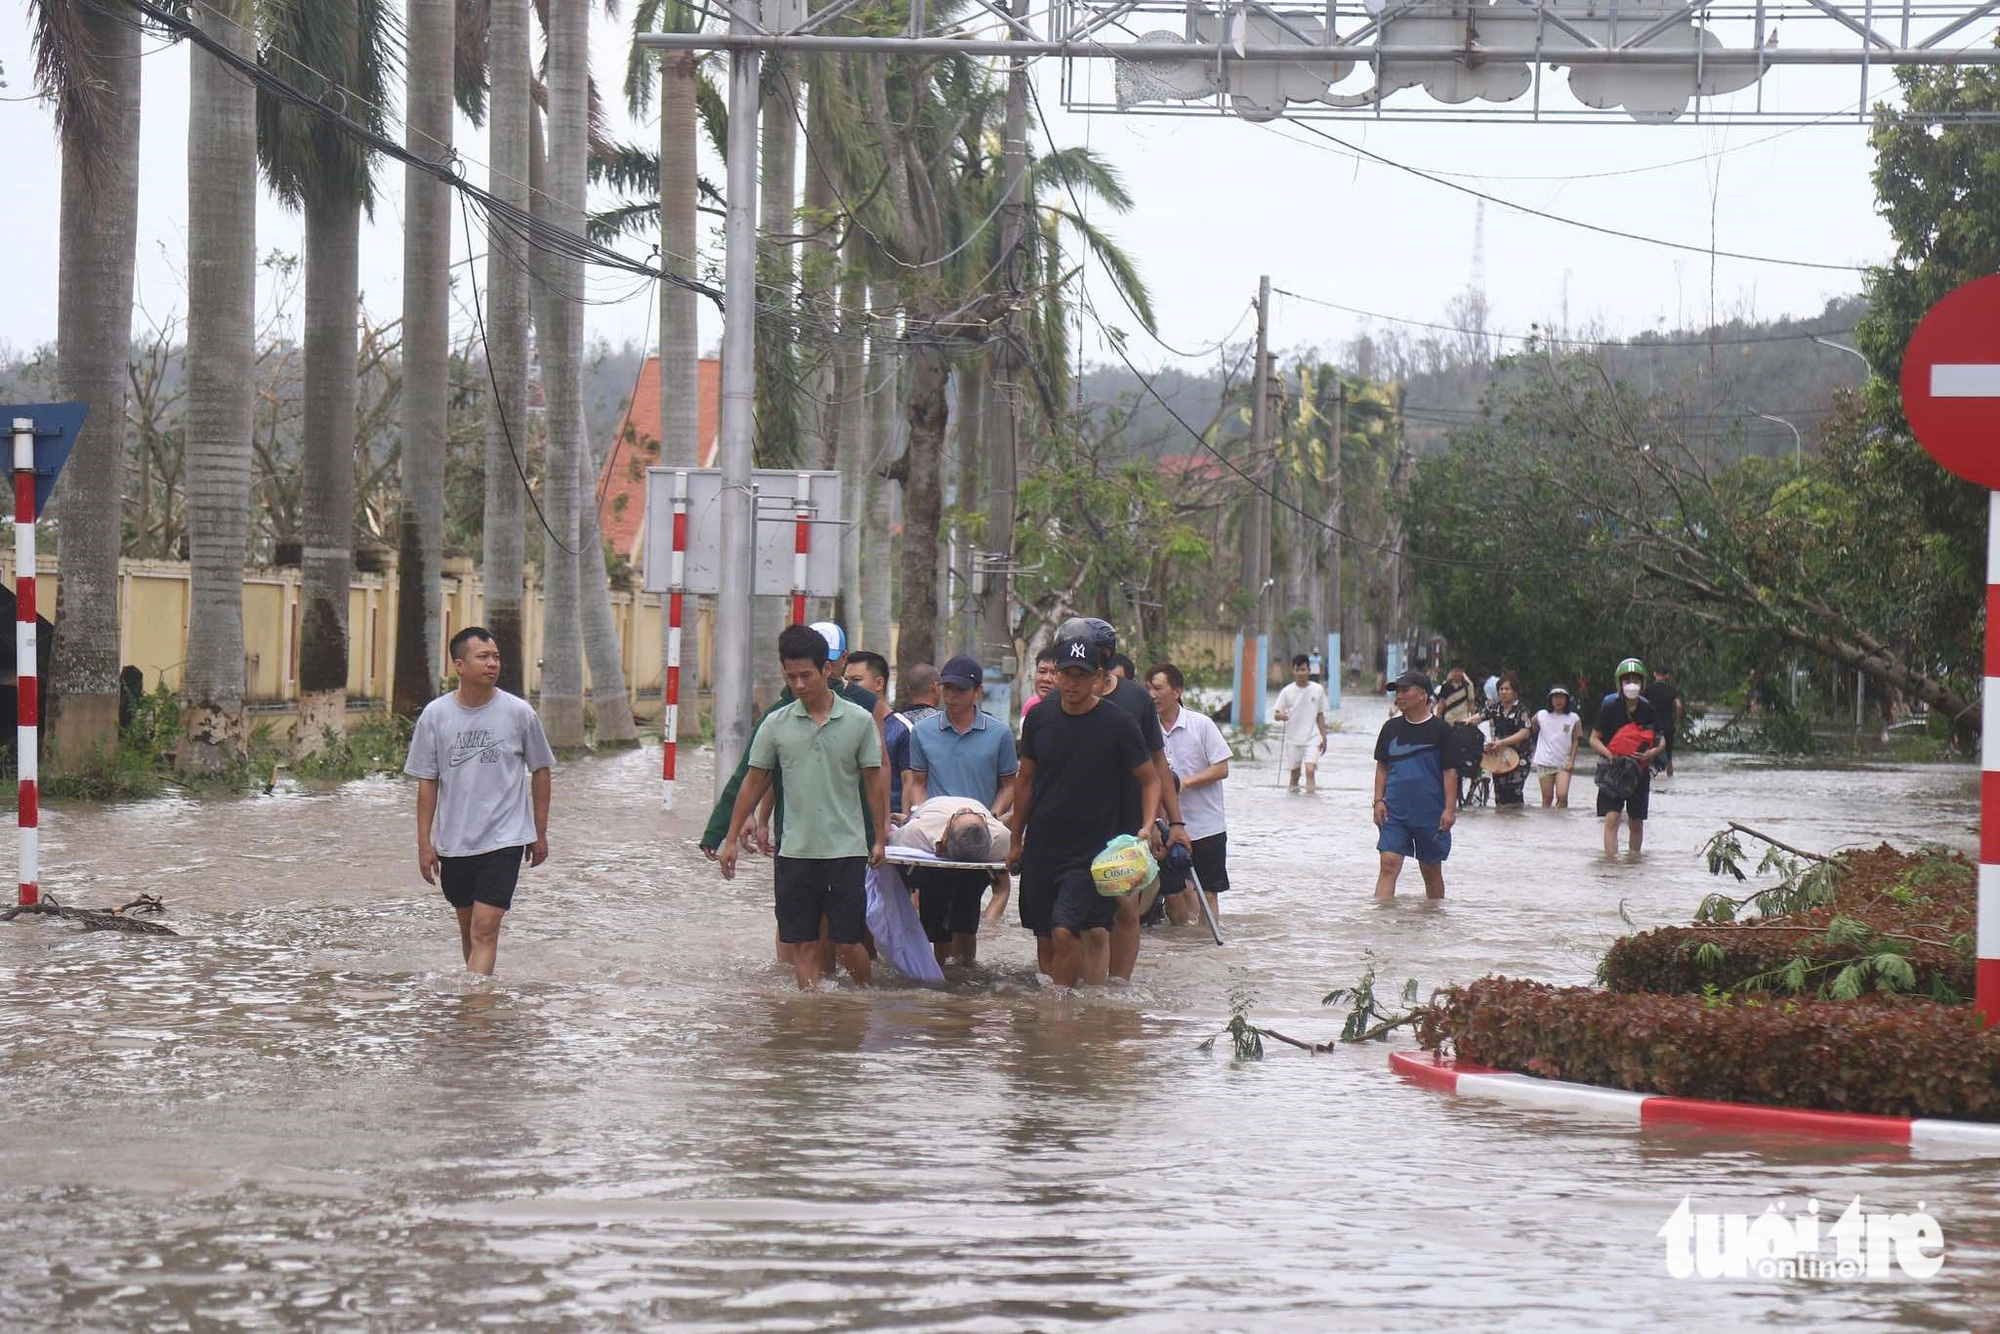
(221, 317)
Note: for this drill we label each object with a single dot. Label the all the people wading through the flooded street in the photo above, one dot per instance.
(1105, 813)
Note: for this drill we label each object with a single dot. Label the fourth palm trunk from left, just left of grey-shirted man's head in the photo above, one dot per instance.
(427, 333)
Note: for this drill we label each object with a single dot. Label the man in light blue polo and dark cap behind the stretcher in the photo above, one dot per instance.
(961, 753)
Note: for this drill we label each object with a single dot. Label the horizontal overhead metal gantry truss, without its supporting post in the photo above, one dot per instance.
(1423, 59)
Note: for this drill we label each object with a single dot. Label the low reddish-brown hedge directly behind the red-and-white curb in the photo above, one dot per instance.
(1893, 1057)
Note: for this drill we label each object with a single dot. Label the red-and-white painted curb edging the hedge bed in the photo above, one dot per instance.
(1525, 1091)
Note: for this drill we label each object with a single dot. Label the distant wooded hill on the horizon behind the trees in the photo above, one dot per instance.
(1753, 367)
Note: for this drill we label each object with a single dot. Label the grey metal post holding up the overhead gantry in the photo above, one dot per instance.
(737, 507)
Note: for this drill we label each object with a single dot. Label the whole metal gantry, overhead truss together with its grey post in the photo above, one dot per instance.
(1649, 61)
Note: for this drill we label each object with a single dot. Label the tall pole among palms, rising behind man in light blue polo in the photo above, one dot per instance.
(1003, 439)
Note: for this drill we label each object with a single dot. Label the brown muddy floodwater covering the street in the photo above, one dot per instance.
(305, 1115)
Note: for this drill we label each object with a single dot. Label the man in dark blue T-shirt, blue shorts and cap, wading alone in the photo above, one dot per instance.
(1417, 789)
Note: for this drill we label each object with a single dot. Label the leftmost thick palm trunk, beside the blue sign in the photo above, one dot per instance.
(99, 231)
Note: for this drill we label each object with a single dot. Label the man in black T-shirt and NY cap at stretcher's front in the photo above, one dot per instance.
(1069, 803)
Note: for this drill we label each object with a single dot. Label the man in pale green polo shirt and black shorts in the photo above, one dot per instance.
(821, 747)
